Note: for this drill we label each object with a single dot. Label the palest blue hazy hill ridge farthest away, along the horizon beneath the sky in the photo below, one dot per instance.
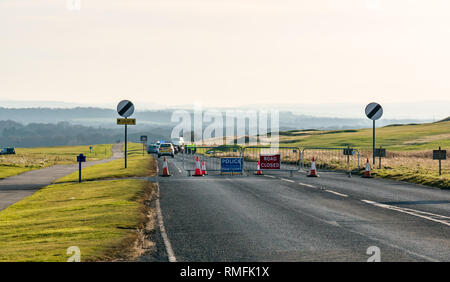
(162, 118)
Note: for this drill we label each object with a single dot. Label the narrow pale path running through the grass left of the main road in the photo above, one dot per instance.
(15, 188)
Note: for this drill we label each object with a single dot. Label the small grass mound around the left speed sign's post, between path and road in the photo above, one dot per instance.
(138, 166)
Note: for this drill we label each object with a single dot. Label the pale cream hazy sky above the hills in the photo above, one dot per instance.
(225, 52)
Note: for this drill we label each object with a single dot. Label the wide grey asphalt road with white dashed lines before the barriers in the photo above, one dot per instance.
(280, 218)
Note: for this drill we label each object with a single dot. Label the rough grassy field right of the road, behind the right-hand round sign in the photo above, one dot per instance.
(409, 149)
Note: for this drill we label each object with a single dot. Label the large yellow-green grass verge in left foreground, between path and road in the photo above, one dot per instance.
(100, 218)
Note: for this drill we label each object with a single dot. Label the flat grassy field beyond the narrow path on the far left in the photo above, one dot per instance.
(27, 159)
